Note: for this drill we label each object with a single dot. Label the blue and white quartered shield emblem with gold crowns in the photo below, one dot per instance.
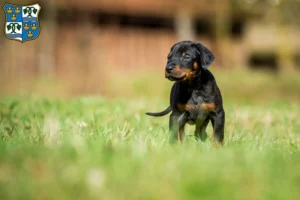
(22, 22)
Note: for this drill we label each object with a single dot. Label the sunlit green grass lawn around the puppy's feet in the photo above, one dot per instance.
(102, 148)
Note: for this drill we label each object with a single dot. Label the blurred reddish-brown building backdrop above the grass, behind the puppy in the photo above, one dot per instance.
(91, 47)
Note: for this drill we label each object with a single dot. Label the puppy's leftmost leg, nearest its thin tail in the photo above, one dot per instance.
(176, 126)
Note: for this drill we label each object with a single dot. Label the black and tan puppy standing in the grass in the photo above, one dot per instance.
(195, 96)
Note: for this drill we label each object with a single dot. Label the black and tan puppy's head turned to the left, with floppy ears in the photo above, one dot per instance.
(186, 59)
